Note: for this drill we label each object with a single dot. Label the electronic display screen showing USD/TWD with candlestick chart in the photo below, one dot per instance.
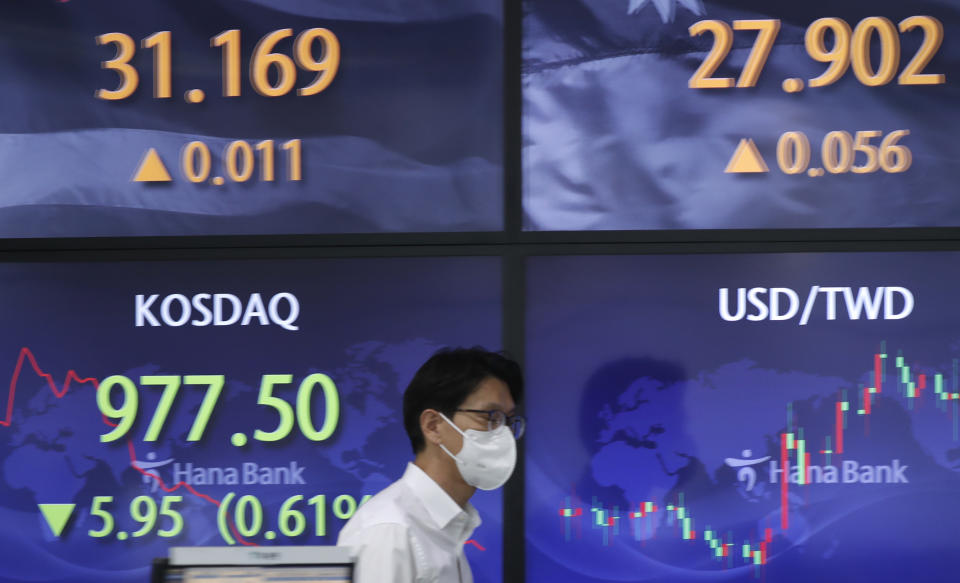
(743, 418)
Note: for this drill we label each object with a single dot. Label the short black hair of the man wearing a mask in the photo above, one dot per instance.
(448, 378)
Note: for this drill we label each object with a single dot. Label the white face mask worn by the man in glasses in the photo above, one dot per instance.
(487, 457)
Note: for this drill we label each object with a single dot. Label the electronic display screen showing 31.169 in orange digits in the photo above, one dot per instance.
(250, 117)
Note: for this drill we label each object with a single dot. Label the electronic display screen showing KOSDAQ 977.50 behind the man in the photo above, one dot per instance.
(196, 403)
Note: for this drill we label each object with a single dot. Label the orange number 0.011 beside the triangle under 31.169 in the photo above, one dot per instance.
(239, 160)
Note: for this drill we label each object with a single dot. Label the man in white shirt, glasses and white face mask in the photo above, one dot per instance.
(459, 413)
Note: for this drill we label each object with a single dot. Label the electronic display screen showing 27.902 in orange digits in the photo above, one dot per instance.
(739, 114)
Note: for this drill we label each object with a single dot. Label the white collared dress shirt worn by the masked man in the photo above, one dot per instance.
(411, 532)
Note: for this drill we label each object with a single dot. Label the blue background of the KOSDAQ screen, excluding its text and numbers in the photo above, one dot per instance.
(367, 323)
